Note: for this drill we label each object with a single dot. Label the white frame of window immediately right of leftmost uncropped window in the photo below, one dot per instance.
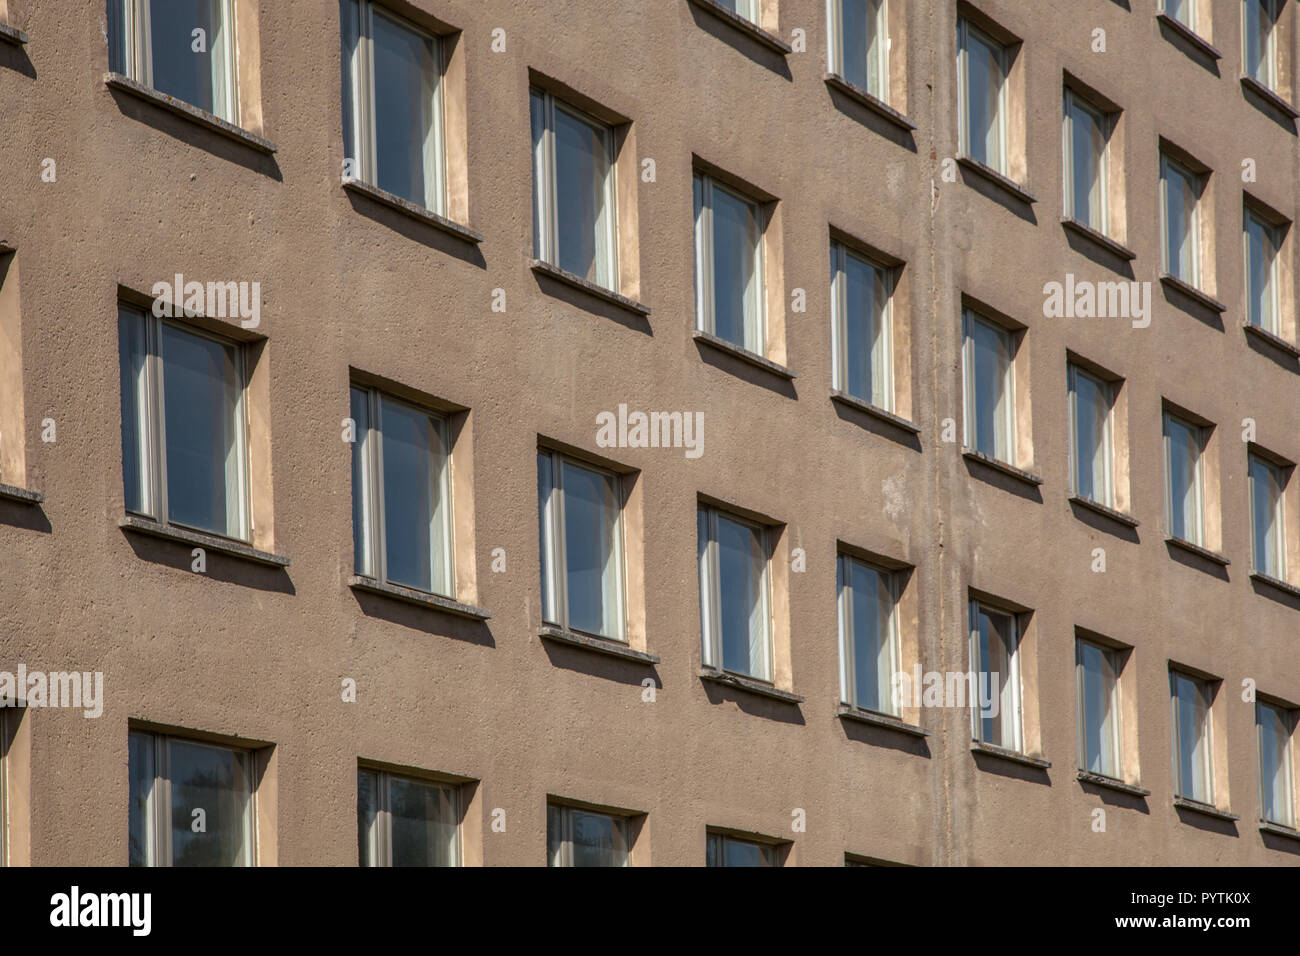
(375, 563)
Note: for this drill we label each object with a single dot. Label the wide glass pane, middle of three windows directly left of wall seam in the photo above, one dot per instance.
(866, 349)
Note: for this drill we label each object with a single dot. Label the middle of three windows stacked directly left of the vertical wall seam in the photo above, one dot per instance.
(861, 312)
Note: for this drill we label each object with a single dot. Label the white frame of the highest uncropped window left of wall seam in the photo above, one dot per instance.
(545, 189)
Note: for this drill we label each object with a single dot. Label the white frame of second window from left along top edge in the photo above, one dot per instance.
(362, 76)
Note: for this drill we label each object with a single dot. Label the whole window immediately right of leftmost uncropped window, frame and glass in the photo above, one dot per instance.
(401, 495)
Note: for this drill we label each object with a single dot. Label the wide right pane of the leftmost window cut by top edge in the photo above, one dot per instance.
(197, 77)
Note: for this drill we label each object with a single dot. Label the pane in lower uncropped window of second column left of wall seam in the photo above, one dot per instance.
(742, 564)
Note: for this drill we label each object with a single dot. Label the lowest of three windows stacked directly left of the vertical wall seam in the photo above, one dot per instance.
(869, 642)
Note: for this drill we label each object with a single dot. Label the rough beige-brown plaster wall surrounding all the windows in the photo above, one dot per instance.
(242, 652)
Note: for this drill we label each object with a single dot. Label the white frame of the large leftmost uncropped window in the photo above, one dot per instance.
(153, 426)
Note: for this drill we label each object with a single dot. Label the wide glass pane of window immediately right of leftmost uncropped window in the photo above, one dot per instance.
(415, 530)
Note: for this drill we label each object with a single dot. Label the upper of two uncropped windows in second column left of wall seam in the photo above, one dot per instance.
(729, 266)
